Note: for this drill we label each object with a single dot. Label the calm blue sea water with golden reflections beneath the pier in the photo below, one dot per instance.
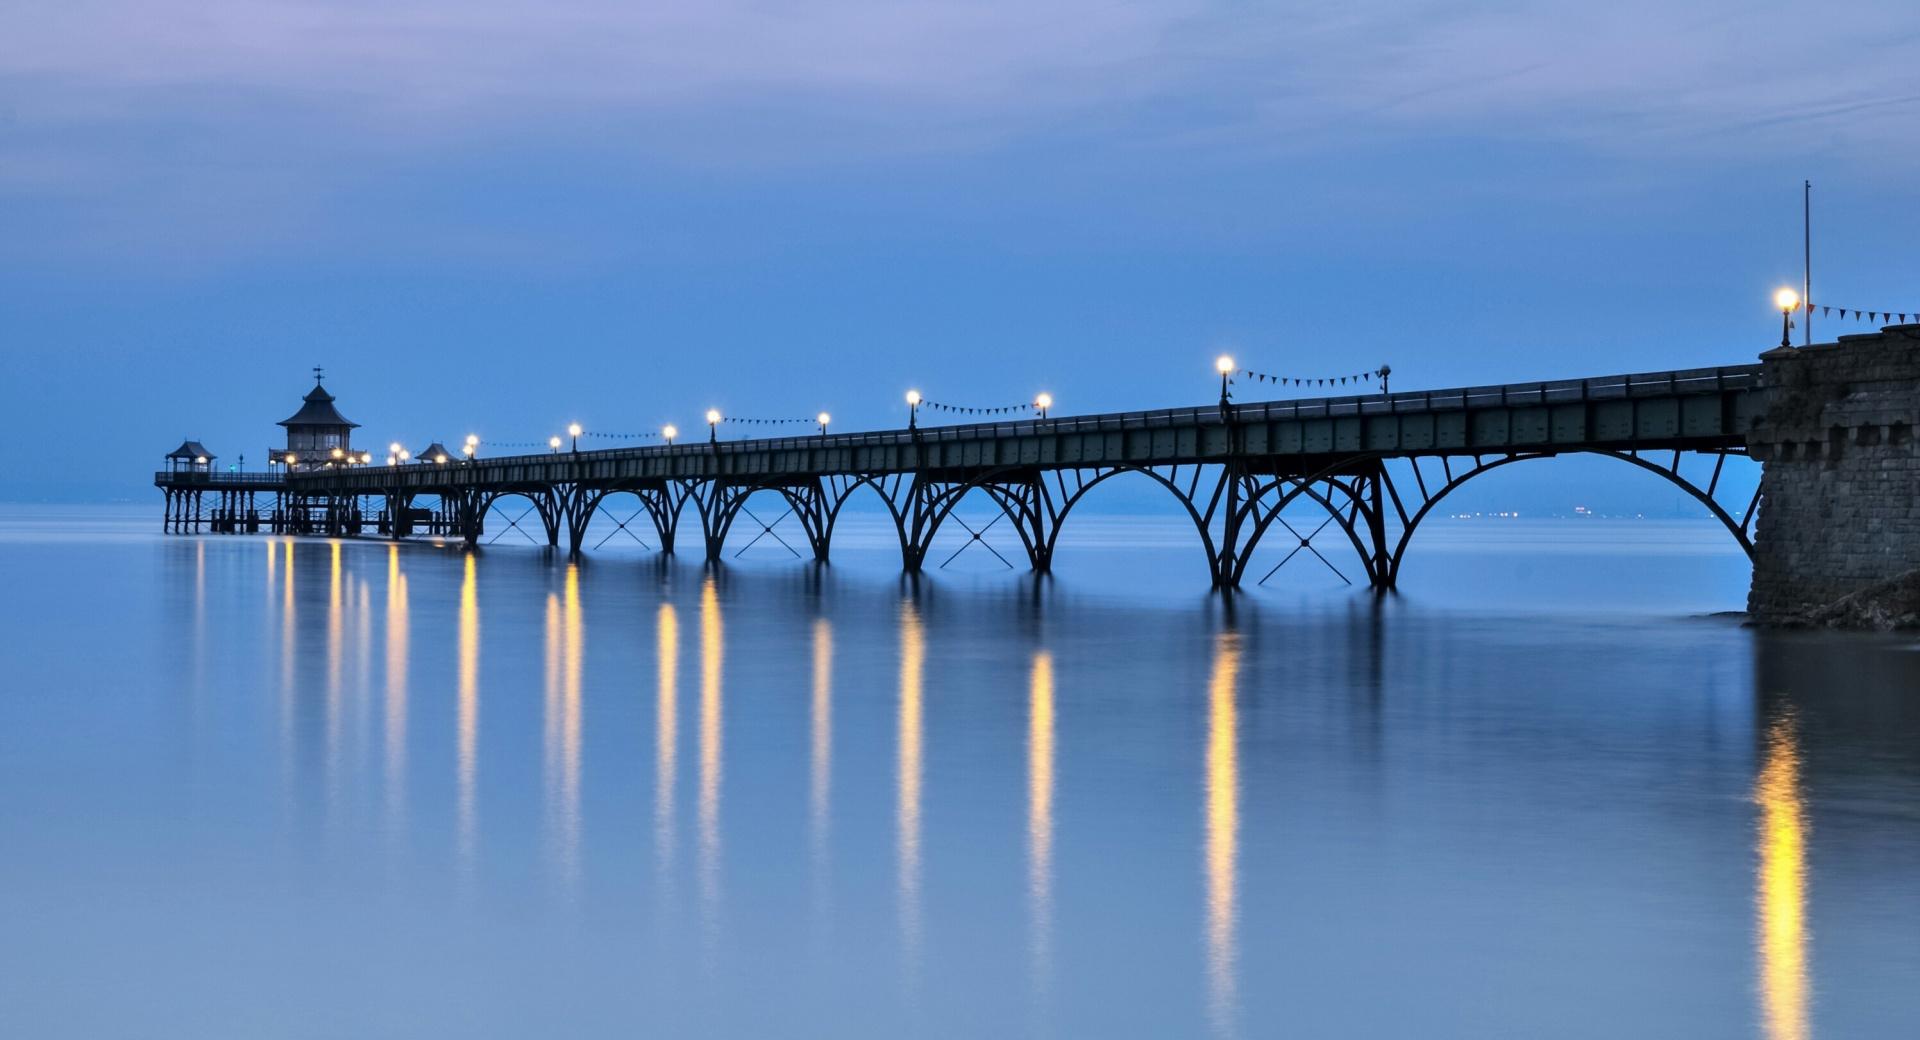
(268, 788)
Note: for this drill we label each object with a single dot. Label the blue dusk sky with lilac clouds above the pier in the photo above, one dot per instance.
(504, 216)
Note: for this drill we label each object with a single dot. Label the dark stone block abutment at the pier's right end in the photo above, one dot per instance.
(1840, 483)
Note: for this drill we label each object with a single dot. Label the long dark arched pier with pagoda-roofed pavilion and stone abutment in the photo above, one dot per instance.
(1378, 465)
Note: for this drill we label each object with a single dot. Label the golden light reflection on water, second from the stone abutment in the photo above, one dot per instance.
(1222, 832)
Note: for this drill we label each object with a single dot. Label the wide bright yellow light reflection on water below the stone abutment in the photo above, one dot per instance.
(1781, 882)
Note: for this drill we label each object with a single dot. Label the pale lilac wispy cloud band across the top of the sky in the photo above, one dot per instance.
(245, 112)
